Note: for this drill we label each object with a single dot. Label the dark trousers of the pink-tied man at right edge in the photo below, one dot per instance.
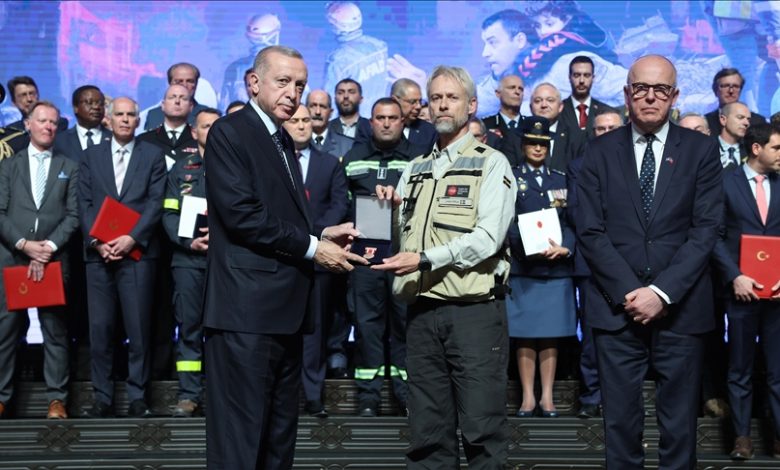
(746, 322)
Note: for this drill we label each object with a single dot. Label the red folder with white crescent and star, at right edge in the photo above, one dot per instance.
(759, 258)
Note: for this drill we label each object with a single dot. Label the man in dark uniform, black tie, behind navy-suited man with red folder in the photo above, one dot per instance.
(174, 135)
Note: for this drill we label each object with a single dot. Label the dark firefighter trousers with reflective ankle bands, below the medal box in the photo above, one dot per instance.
(377, 315)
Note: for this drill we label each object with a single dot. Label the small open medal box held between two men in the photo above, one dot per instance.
(373, 219)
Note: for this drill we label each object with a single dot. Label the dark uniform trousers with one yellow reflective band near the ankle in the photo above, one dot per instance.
(189, 286)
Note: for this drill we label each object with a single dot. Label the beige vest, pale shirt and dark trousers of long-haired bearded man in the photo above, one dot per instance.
(457, 205)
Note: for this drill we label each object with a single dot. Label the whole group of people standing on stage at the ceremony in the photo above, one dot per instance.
(651, 201)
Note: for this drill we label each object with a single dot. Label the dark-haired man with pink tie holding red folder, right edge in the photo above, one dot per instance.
(752, 200)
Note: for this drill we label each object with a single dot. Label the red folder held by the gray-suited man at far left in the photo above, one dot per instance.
(22, 293)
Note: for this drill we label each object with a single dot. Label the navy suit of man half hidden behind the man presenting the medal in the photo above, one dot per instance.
(326, 190)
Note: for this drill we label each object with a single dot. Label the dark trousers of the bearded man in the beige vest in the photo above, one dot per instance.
(457, 359)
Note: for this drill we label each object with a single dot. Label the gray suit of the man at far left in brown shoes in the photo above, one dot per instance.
(57, 219)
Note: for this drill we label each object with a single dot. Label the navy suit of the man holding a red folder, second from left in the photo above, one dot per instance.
(127, 283)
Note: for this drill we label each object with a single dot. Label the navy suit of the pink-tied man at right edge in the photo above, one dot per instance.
(748, 319)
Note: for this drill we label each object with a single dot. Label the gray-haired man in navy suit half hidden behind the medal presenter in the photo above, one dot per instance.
(326, 191)
